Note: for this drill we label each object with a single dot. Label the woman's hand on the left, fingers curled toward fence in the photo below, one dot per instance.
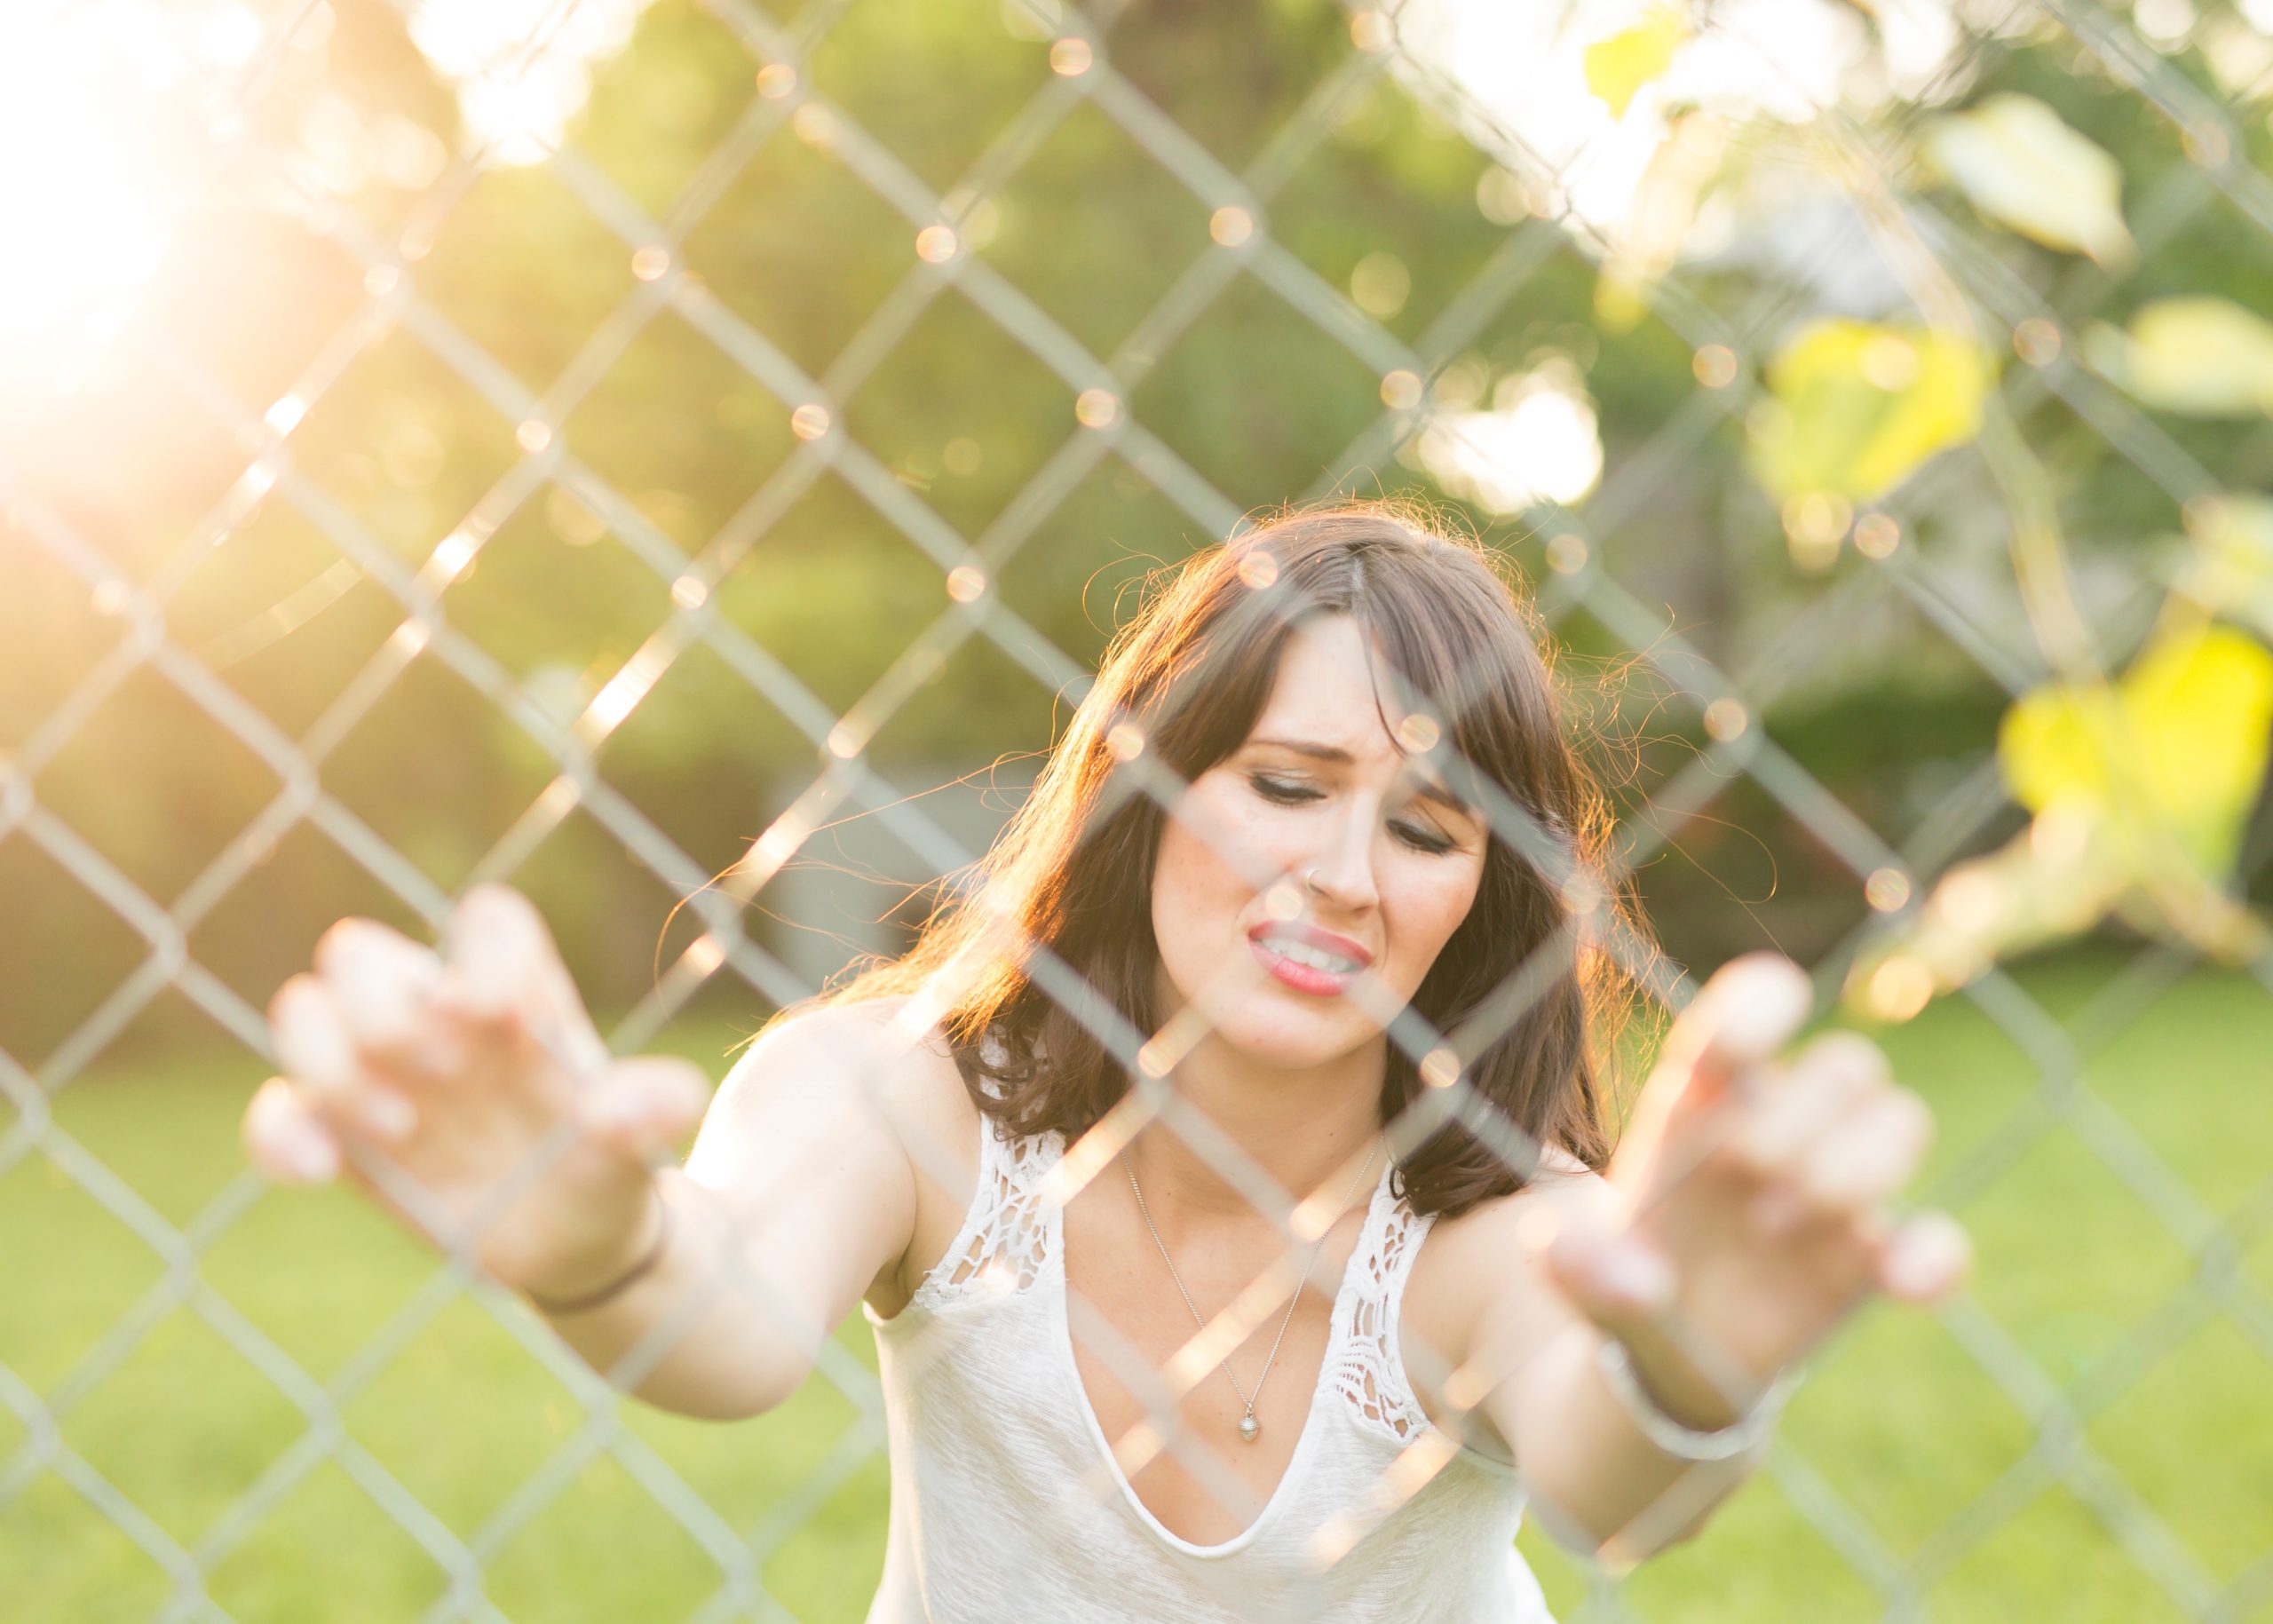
(460, 1072)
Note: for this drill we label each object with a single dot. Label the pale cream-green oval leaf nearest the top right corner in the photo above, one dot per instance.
(2026, 169)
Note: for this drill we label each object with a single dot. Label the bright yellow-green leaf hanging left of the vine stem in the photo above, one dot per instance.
(1858, 406)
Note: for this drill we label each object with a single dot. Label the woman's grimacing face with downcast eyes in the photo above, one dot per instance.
(1317, 790)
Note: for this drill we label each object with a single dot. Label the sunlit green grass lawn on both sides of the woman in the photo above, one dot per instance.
(1899, 1423)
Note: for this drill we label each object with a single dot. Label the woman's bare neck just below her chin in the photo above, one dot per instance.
(1306, 1129)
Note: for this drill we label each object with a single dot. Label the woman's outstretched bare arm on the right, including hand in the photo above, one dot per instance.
(1742, 1216)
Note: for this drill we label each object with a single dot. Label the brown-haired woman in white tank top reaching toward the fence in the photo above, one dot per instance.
(1367, 963)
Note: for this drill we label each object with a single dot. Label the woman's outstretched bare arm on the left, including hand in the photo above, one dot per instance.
(433, 1086)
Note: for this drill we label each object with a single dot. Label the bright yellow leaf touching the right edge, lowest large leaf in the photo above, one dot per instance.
(2188, 724)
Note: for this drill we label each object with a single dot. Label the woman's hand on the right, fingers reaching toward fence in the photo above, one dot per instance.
(1754, 1200)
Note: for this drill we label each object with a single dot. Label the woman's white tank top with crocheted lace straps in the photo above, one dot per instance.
(1008, 1502)
